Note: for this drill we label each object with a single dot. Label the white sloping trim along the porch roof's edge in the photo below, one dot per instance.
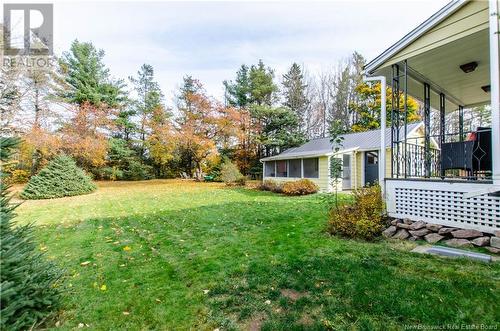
(416, 33)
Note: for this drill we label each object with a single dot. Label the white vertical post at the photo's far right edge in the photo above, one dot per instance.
(495, 91)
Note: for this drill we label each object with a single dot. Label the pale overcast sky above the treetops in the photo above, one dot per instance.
(210, 40)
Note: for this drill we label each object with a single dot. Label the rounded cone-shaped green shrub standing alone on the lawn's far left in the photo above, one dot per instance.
(60, 178)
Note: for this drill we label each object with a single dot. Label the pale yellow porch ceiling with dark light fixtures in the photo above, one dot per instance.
(440, 67)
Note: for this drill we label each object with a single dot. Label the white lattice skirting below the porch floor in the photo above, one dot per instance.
(443, 203)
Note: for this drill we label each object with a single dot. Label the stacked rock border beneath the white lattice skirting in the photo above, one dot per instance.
(405, 229)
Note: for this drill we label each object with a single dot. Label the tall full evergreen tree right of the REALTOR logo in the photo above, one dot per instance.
(87, 79)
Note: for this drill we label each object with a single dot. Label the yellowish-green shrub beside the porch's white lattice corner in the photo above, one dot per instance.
(363, 219)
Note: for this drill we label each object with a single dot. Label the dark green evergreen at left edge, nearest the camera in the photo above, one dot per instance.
(29, 289)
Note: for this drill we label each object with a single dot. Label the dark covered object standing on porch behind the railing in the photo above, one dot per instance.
(473, 155)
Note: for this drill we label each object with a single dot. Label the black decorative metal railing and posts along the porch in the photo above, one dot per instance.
(461, 155)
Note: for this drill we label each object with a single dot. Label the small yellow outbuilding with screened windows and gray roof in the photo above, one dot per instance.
(359, 154)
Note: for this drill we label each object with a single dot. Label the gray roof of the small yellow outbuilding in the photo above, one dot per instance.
(359, 140)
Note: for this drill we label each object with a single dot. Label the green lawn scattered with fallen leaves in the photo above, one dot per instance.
(179, 255)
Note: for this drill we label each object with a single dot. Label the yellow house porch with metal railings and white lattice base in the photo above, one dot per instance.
(450, 62)
